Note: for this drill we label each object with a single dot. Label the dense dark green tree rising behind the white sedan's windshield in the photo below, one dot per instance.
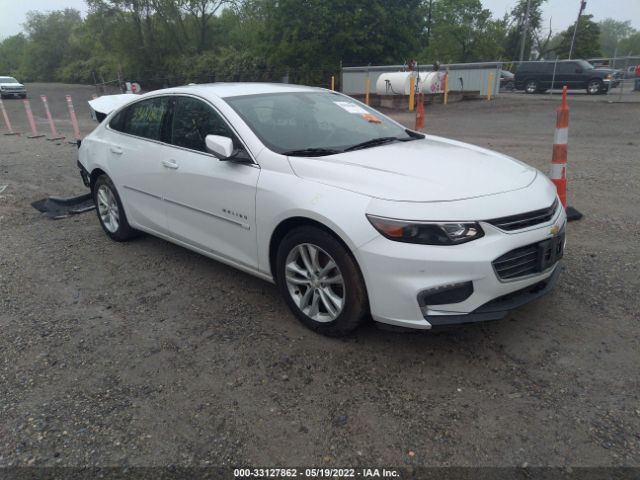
(310, 33)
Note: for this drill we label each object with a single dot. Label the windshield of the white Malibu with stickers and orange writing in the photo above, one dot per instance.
(315, 123)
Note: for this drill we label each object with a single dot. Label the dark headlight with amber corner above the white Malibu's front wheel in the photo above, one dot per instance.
(426, 233)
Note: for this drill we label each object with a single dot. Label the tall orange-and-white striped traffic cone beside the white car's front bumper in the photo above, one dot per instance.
(559, 160)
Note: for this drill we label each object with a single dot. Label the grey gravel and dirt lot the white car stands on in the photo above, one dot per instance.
(147, 354)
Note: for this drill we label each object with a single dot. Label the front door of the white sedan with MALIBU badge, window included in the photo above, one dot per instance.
(210, 203)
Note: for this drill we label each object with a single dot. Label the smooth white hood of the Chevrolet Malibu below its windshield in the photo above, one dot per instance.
(430, 170)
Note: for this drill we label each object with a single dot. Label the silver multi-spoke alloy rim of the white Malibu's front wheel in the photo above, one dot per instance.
(315, 282)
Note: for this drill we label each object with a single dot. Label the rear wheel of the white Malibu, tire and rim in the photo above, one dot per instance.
(110, 211)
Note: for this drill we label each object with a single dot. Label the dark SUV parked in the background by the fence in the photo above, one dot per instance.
(538, 77)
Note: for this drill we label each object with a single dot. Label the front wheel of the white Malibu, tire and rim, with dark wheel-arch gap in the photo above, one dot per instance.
(334, 307)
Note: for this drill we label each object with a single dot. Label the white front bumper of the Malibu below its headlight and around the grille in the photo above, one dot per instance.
(396, 274)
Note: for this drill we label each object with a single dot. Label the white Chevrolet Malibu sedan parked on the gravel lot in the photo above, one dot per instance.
(351, 214)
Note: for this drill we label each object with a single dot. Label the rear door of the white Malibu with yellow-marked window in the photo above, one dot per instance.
(136, 161)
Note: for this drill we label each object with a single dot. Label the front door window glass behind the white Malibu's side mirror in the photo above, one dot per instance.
(193, 120)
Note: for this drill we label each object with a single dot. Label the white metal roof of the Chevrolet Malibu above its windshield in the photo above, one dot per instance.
(224, 90)
